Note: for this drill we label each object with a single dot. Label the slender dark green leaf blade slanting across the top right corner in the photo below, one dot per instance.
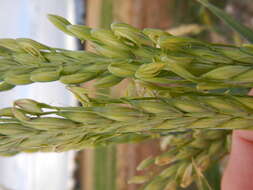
(234, 24)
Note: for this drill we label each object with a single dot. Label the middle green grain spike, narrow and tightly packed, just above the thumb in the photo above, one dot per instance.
(28, 127)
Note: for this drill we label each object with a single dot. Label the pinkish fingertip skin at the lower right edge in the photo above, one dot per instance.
(239, 172)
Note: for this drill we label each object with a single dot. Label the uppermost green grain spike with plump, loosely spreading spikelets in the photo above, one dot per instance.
(123, 51)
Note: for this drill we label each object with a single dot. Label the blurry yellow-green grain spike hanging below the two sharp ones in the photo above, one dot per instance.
(188, 157)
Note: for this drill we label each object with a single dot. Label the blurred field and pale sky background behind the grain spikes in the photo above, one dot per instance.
(103, 168)
